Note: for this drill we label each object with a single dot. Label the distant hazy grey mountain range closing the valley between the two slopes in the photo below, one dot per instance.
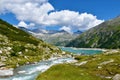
(55, 37)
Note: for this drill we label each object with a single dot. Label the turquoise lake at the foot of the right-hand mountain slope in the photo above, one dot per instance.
(81, 51)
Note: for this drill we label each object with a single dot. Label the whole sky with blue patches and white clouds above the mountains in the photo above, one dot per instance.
(59, 14)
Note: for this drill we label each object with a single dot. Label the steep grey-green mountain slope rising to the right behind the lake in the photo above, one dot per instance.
(105, 35)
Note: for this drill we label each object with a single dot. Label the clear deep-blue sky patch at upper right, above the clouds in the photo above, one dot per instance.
(103, 9)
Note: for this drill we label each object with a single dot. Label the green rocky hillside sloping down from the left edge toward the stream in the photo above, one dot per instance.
(18, 47)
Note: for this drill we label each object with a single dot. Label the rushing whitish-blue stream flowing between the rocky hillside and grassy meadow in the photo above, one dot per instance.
(30, 72)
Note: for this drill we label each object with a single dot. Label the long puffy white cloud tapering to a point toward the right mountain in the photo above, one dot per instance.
(73, 19)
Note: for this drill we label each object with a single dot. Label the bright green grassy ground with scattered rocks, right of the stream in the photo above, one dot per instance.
(95, 67)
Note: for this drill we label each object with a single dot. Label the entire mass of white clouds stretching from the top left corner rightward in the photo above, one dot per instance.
(36, 11)
